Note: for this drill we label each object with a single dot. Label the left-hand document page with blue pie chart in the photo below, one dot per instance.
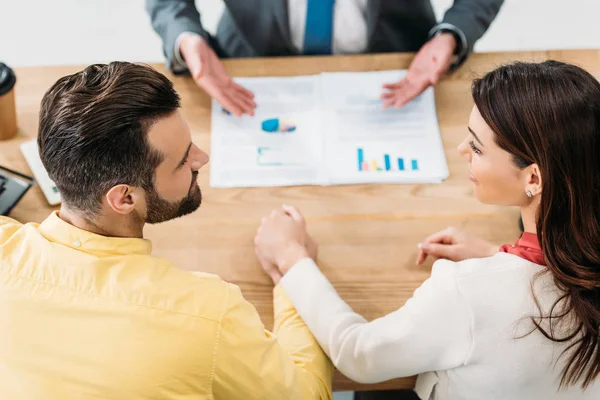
(280, 145)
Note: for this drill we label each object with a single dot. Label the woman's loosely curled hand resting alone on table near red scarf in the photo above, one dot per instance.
(454, 245)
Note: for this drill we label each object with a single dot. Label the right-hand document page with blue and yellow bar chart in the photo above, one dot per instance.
(365, 143)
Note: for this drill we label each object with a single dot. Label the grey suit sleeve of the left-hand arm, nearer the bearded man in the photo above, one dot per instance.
(170, 18)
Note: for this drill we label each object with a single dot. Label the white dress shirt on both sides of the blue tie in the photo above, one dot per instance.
(349, 25)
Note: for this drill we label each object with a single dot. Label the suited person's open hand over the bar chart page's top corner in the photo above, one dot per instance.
(429, 64)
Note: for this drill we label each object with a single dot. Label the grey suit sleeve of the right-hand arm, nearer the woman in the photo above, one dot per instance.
(472, 17)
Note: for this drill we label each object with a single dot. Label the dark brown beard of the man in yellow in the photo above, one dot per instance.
(161, 210)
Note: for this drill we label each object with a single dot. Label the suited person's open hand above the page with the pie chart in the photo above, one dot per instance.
(208, 73)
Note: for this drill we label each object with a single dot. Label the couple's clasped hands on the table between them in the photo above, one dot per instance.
(281, 241)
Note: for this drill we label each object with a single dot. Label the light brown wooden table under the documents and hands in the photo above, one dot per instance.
(368, 234)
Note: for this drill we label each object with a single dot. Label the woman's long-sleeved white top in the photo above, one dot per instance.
(460, 331)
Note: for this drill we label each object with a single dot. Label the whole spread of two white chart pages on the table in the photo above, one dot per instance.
(326, 129)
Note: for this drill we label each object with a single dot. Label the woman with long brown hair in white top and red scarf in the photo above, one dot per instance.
(517, 322)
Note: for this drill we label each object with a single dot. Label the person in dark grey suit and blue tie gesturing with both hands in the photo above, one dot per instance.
(263, 28)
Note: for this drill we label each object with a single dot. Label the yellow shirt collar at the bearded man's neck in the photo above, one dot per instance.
(58, 231)
